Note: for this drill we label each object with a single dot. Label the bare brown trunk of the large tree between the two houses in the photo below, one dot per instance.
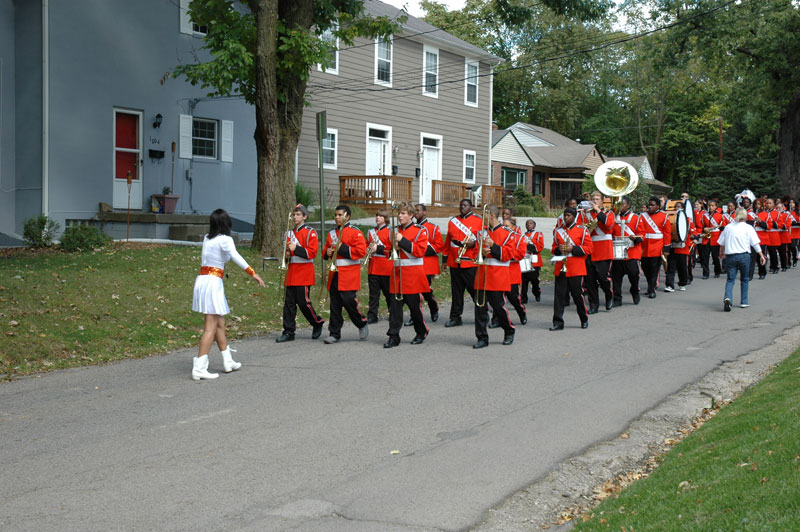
(277, 123)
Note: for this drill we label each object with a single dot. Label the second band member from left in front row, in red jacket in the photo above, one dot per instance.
(346, 246)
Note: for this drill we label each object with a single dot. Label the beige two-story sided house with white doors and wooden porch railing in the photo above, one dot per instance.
(415, 108)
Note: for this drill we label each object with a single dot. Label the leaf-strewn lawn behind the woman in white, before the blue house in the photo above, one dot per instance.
(62, 309)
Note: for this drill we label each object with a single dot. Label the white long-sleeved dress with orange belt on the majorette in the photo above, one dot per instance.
(209, 290)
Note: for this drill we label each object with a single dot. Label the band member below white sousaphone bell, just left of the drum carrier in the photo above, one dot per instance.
(598, 264)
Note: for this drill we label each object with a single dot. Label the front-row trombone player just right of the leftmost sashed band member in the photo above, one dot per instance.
(492, 279)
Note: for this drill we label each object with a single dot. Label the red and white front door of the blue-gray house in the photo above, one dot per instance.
(127, 160)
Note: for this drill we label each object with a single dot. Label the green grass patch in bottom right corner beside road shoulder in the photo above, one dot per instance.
(739, 471)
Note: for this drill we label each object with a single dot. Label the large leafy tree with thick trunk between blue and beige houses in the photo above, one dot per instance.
(263, 50)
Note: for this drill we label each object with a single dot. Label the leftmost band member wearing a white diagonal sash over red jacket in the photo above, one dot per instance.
(462, 232)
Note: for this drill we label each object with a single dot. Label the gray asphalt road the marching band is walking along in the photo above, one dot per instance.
(303, 438)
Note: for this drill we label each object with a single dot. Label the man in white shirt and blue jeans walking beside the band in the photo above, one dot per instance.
(735, 242)
